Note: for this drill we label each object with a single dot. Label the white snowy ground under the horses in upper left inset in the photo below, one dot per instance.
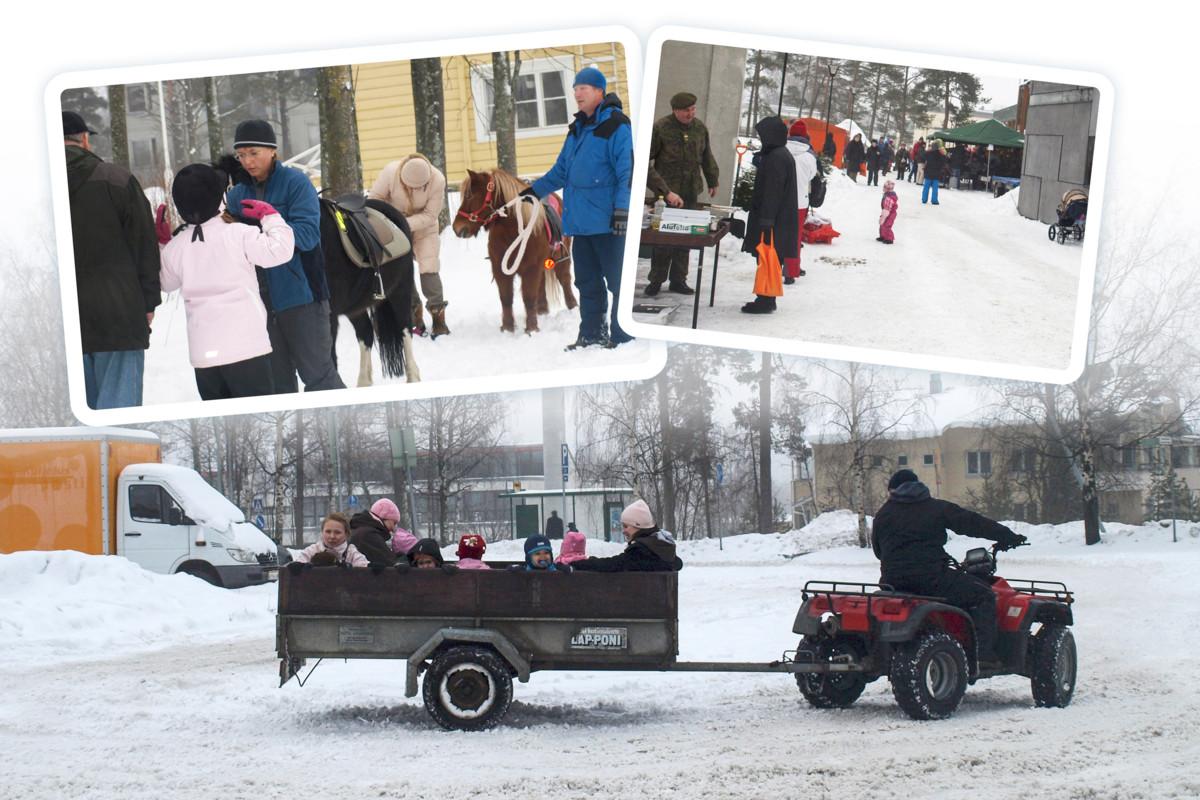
(477, 348)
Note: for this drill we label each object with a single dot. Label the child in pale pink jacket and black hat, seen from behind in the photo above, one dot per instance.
(213, 263)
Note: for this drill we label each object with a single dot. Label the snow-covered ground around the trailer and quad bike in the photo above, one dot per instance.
(125, 685)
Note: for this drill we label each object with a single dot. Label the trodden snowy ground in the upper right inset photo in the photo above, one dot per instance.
(968, 279)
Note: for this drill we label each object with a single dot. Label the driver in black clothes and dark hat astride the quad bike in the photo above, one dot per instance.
(908, 537)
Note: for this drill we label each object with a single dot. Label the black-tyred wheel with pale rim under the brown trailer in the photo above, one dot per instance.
(467, 689)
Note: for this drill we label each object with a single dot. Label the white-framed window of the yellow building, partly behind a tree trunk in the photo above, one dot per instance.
(541, 95)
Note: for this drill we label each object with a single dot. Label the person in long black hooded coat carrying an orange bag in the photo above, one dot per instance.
(775, 202)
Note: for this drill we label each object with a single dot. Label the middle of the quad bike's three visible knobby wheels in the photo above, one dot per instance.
(929, 676)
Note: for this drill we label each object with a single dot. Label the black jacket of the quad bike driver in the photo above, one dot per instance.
(910, 531)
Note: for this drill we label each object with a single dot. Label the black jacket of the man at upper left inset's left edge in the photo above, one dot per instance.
(116, 254)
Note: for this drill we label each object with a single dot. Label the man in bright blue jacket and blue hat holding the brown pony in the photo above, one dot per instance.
(595, 170)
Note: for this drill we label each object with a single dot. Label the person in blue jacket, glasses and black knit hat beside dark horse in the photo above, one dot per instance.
(297, 293)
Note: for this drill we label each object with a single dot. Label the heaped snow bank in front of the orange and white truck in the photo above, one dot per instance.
(63, 606)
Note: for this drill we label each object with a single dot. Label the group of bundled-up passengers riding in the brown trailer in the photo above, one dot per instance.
(375, 538)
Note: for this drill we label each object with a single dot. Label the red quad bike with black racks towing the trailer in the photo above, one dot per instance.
(927, 648)
